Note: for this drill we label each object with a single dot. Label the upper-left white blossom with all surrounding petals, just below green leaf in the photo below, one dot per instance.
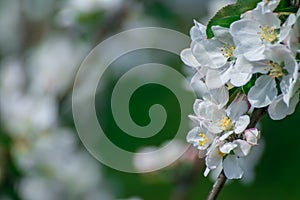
(215, 60)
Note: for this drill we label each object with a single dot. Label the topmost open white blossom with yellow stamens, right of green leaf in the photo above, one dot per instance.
(255, 32)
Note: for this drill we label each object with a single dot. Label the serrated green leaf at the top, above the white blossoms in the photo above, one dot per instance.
(229, 14)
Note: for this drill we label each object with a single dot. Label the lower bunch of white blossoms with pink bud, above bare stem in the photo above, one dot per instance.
(222, 131)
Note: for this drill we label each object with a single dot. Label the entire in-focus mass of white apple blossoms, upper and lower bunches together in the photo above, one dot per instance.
(256, 61)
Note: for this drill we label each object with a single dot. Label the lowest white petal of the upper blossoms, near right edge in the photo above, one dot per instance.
(279, 110)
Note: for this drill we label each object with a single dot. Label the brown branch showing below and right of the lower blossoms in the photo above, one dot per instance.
(256, 115)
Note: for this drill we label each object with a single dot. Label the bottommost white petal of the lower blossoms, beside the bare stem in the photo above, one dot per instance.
(231, 167)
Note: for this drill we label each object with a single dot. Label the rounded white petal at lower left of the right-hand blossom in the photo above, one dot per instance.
(263, 92)
